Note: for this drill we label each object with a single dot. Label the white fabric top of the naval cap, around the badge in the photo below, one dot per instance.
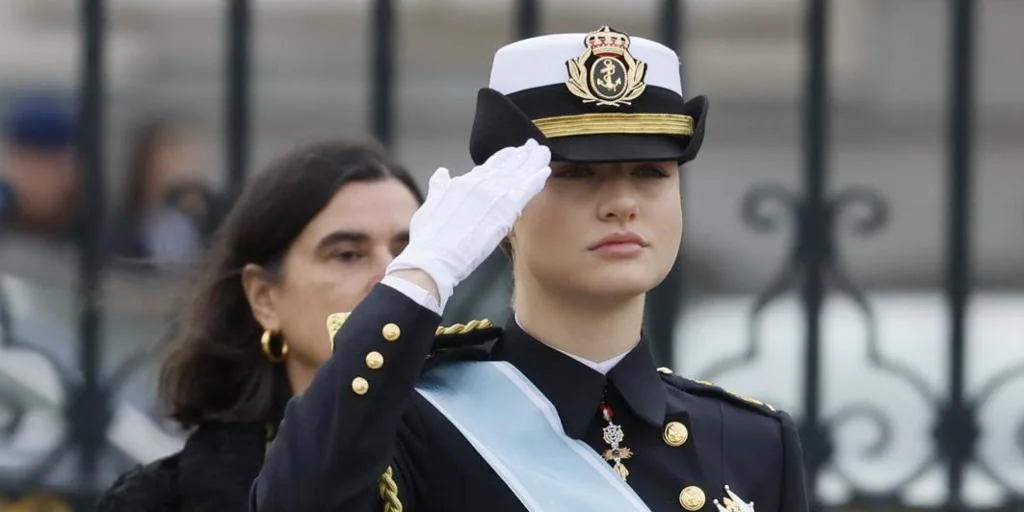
(540, 62)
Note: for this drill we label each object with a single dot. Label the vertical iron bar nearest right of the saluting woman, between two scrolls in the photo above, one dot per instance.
(815, 233)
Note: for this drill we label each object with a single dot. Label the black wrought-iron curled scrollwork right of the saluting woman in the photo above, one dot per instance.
(864, 212)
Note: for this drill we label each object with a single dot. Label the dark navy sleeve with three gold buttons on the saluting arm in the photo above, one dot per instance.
(351, 428)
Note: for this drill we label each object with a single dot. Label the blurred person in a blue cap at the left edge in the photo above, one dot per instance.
(40, 192)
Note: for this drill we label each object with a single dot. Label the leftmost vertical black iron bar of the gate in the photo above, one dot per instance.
(88, 409)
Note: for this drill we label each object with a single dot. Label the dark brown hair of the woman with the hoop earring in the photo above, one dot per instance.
(217, 371)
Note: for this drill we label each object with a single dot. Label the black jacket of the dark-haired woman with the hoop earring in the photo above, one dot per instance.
(212, 474)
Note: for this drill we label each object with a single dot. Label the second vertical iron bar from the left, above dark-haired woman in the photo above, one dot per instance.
(238, 80)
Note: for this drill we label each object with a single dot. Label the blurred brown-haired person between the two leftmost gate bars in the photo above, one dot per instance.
(167, 211)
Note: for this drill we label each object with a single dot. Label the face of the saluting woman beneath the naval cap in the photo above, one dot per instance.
(601, 231)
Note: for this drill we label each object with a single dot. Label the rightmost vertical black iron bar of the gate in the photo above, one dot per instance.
(961, 101)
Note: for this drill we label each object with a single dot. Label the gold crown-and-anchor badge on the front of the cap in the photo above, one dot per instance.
(607, 74)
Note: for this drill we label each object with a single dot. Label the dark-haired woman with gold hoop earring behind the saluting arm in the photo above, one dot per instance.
(310, 237)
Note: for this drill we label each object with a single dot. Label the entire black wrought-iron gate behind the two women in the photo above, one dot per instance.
(814, 267)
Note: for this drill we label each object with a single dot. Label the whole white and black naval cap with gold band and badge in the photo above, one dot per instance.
(600, 97)
